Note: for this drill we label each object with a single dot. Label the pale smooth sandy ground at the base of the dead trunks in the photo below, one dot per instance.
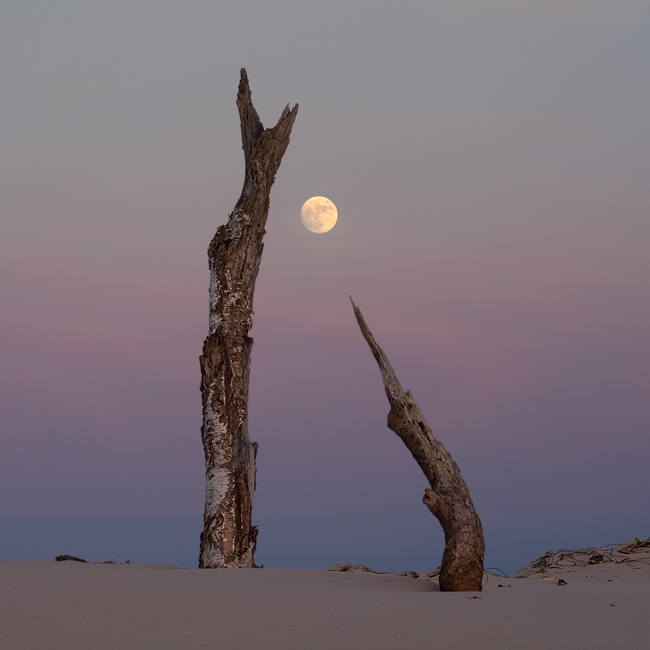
(74, 606)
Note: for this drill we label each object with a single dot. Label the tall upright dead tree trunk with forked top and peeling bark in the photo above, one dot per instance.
(229, 538)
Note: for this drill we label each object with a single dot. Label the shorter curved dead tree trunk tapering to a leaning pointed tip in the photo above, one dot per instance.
(448, 499)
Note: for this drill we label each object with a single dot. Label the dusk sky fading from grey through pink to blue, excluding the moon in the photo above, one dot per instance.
(490, 164)
